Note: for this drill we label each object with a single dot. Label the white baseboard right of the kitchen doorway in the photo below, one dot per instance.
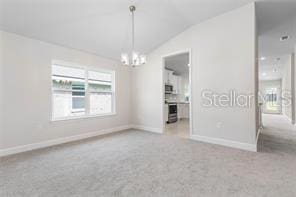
(223, 142)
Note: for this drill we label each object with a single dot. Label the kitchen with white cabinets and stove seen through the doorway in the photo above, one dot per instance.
(177, 95)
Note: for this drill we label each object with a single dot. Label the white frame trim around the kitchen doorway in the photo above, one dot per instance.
(190, 88)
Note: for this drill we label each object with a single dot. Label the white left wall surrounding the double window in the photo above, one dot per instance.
(27, 81)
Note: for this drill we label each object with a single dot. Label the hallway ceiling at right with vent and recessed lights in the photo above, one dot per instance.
(275, 19)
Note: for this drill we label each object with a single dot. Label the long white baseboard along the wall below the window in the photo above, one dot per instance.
(28, 147)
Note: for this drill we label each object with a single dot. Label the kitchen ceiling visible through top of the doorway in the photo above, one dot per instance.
(178, 63)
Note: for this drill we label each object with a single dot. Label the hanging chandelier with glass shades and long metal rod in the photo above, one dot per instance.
(134, 58)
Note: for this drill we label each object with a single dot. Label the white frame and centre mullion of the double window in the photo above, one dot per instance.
(87, 91)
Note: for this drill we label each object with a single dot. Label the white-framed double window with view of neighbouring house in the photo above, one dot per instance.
(81, 93)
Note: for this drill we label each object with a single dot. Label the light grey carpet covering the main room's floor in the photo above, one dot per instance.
(138, 163)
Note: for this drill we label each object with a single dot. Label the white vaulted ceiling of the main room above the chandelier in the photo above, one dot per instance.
(103, 26)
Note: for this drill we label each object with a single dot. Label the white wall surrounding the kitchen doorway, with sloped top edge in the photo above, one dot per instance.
(223, 59)
